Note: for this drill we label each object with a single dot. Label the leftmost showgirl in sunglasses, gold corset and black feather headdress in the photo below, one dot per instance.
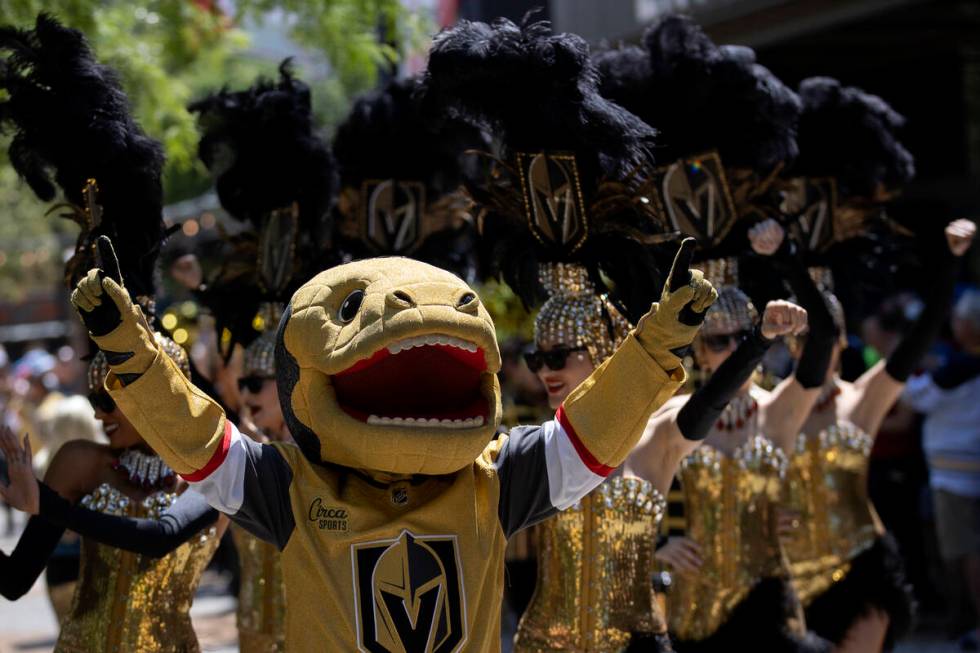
(109, 173)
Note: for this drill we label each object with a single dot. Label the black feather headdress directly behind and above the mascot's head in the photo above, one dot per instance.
(401, 172)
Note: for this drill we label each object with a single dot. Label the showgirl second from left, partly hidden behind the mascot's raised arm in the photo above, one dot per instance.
(276, 176)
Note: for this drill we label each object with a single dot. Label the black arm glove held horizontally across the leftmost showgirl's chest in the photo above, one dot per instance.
(189, 514)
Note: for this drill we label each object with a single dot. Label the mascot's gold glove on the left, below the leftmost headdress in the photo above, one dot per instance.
(115, 324)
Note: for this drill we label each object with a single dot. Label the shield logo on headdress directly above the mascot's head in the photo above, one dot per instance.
(392, 219)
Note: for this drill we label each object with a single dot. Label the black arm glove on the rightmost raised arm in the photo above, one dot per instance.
(920, 337)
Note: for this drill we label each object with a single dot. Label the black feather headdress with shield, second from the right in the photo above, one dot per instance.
(727, 126)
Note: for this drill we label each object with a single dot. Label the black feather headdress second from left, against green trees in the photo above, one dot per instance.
(274, 173)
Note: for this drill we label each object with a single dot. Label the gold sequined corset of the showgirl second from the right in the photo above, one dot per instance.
(729, 506)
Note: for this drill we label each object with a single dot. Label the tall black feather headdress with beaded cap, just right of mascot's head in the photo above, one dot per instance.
(565, 205)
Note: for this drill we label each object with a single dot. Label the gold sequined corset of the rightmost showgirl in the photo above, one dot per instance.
(828, 488)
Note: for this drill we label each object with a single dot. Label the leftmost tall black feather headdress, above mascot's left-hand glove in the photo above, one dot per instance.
(72, 131)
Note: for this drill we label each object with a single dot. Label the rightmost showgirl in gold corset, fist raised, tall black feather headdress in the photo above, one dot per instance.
(847, 570)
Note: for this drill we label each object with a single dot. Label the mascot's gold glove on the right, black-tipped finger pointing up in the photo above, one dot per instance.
(670, 326)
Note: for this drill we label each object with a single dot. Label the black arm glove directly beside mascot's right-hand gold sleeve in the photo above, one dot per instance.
(705, 405)
